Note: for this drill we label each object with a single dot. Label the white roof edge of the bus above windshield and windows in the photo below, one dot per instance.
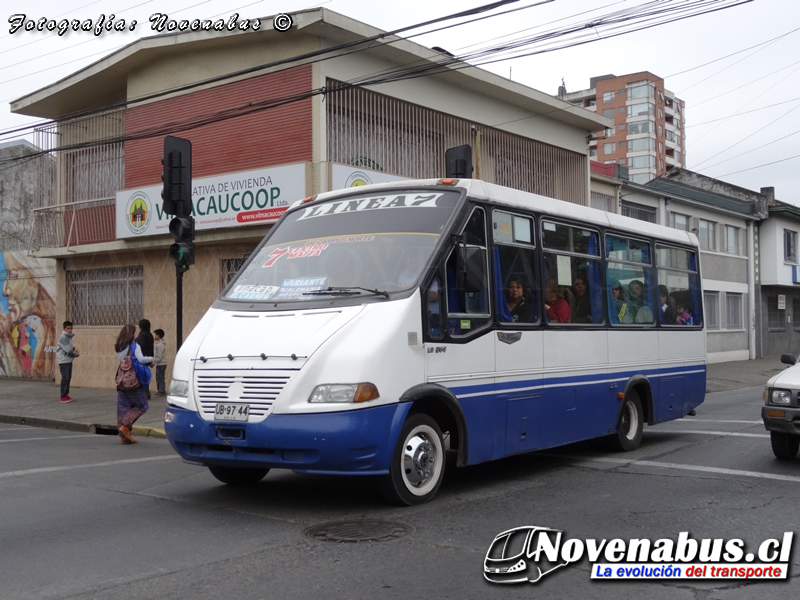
(481, 190)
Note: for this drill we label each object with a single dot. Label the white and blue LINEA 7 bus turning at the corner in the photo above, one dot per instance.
(375, 328)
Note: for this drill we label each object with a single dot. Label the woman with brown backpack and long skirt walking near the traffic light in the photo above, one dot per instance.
(131, 396)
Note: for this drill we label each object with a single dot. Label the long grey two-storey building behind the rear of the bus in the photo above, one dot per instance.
(725, 219)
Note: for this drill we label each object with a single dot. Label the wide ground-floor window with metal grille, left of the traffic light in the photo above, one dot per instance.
(109, 297)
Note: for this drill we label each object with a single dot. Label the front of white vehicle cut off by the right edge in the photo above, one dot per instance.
(781, 410)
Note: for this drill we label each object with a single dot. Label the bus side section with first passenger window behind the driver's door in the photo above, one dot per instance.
(517, 340)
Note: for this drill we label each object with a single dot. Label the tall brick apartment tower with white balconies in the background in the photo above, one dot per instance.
(649, 123)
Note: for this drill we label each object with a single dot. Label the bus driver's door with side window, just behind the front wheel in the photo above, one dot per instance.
(460, 353)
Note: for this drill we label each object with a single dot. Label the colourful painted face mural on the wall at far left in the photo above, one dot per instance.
(27, 316)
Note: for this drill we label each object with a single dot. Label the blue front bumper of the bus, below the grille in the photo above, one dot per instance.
(355, 442)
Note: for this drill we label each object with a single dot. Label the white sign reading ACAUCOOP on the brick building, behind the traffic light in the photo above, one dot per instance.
(230, 200)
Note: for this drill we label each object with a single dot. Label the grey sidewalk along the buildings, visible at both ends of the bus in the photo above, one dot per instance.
(36, 403)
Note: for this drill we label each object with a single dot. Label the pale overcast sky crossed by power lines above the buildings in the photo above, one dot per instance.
(737, 69)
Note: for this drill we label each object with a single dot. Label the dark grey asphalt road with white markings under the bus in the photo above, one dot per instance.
(85, 517)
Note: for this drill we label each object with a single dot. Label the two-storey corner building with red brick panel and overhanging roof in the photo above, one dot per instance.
(266, 129)
